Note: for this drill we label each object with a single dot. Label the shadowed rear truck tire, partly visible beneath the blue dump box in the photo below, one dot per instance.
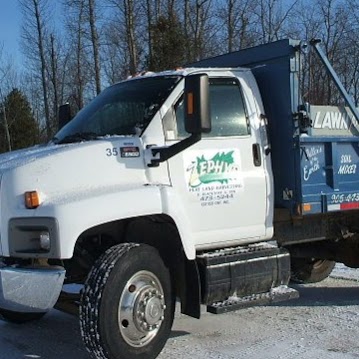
(305, 270)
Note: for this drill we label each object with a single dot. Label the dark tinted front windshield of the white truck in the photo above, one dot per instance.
(122, 109)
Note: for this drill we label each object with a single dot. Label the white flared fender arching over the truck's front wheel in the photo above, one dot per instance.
(134, 202)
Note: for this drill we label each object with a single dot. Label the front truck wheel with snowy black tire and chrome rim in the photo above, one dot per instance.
(127, 305)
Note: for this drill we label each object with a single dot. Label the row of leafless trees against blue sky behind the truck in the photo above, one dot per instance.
(74, 48)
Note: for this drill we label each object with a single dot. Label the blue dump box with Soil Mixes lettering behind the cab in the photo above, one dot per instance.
(315, 160)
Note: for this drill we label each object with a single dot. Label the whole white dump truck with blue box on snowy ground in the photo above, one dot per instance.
(213, 185)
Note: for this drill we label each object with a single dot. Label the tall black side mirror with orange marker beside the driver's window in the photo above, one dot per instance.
(197, 110)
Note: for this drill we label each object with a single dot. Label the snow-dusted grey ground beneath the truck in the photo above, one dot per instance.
(322, 324)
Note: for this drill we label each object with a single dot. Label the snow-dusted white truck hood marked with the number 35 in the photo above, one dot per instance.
(69, 171)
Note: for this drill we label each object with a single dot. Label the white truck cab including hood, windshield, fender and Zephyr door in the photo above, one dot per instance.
(221, 187)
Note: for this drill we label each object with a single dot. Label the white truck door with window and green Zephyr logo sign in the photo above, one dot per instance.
(221, 179)
